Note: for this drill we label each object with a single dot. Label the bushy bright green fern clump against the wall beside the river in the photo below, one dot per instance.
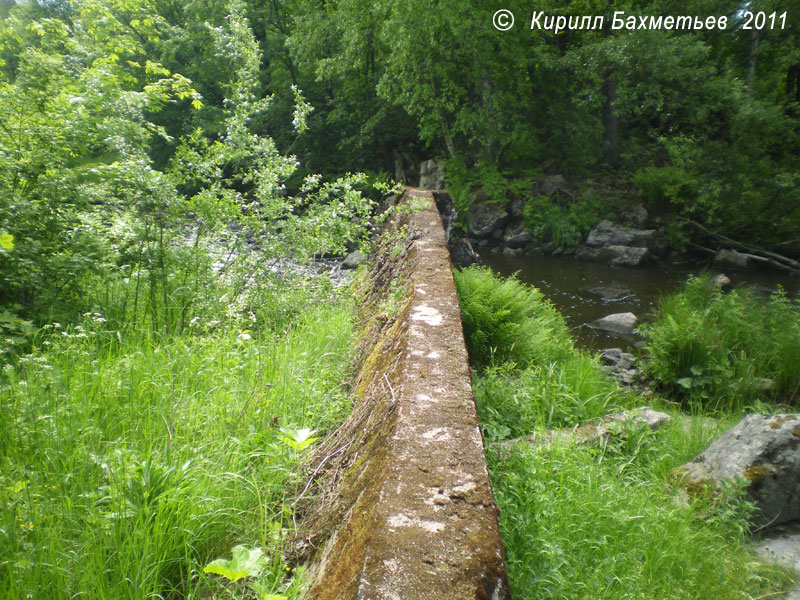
(507, 321)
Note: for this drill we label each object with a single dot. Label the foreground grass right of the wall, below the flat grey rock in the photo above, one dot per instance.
(580, 523)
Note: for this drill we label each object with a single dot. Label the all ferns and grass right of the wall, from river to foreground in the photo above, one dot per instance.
(603, 520)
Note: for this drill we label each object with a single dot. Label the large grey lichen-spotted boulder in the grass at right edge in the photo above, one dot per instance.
(764, 452)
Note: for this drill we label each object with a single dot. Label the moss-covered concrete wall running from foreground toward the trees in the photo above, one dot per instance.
(405, 510)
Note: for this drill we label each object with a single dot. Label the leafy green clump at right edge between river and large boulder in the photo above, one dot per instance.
(718, 349)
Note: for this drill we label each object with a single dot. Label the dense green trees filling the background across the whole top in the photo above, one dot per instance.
(157, 114)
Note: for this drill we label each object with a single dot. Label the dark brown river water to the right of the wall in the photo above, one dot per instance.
(565, 281)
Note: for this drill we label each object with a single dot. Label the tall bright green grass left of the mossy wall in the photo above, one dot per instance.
(129, 461)
